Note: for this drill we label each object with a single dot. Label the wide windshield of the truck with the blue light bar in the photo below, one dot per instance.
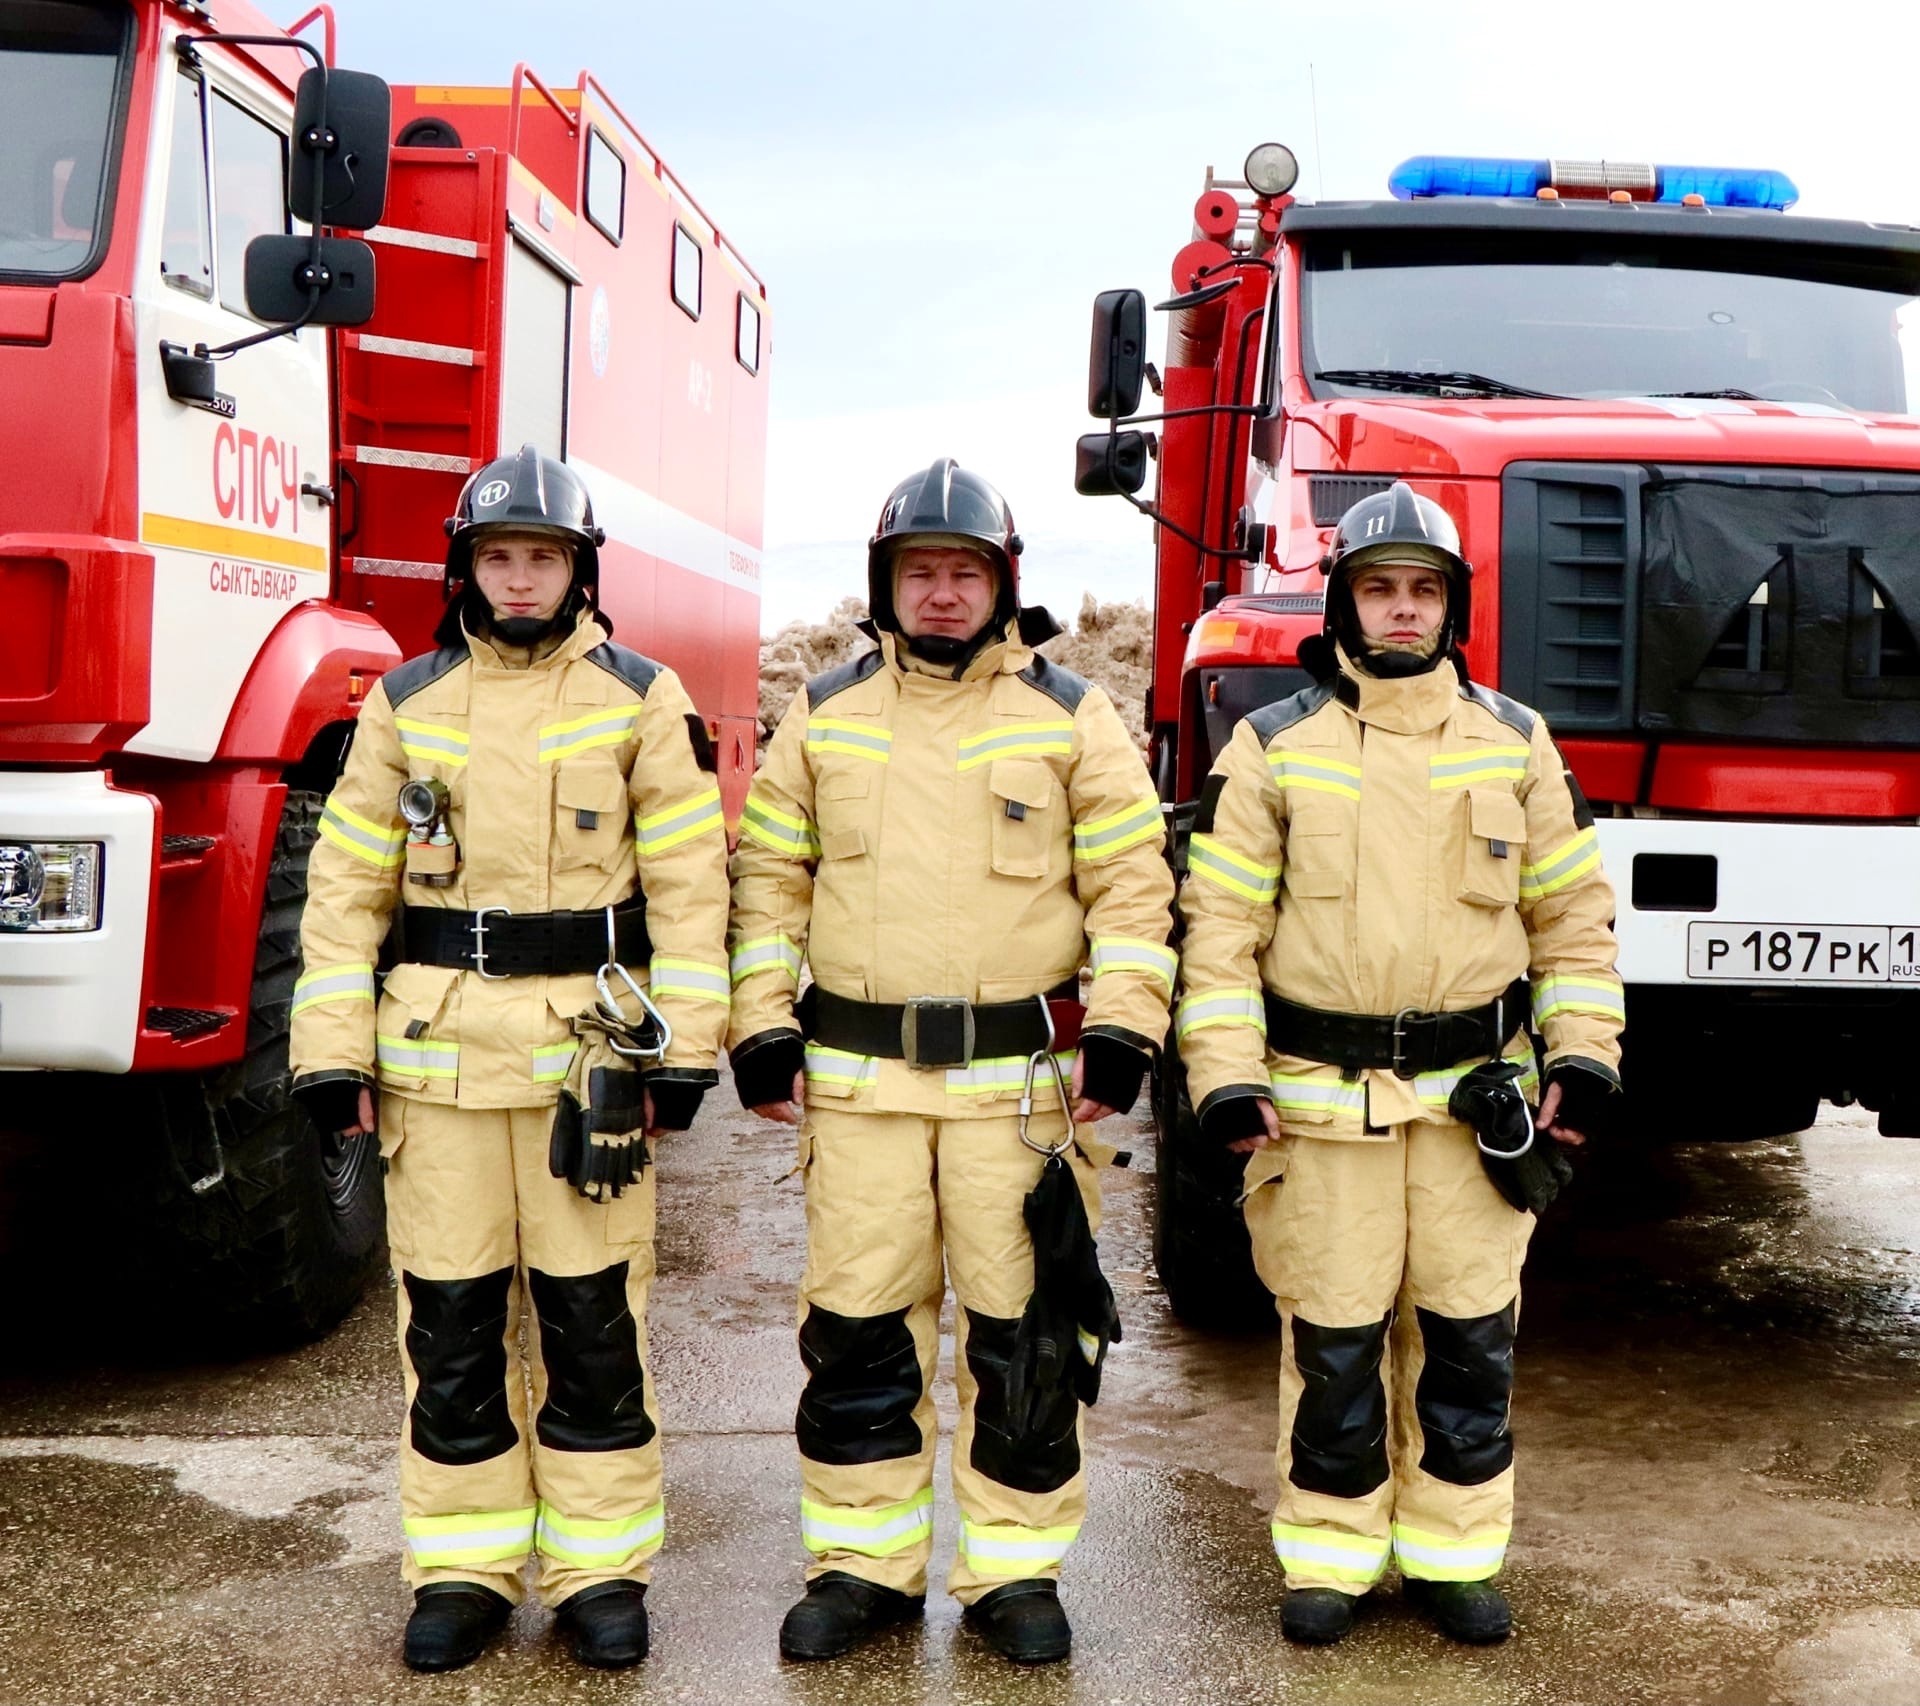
(1679, 321)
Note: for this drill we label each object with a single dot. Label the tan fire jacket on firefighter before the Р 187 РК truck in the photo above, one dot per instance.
(1370, 847)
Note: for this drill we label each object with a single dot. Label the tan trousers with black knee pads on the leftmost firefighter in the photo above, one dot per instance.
(489, 1471)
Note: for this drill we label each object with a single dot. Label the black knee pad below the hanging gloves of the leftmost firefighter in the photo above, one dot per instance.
(590, 1348)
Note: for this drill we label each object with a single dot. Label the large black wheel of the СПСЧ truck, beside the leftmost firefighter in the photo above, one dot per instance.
(264, 1229)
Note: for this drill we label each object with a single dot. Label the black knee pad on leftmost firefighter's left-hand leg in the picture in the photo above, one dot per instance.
(458, 1346)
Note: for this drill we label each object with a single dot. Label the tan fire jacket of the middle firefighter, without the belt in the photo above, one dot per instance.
(915, 836)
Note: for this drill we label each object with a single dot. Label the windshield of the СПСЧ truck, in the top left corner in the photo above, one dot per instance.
(60, 95)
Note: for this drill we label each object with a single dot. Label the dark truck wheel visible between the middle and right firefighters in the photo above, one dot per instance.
(1201, 1244)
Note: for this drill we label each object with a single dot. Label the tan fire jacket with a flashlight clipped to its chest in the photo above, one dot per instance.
(560, 774)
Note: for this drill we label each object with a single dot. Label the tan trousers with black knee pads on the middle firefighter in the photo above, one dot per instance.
(884, 1197)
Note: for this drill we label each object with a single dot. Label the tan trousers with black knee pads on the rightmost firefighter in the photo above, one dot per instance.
(1397, 1273)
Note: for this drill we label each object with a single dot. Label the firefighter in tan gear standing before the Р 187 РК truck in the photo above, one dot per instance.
(1387, 874)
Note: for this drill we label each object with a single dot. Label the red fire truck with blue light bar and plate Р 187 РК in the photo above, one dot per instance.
(1681, 437)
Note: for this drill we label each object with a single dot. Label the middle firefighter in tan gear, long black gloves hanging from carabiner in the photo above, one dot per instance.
(946, 830)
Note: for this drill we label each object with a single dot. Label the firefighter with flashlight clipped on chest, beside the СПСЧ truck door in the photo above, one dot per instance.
(535, 815)
